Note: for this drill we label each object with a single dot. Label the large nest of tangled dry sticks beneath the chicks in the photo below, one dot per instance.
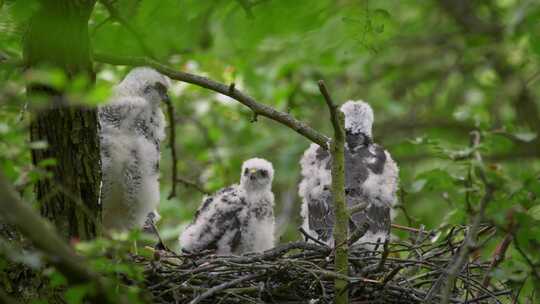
(302, 272)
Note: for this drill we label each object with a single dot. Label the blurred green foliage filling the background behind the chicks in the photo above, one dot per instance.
(430, 76)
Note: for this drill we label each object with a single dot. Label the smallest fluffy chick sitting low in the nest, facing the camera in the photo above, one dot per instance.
(236, 219)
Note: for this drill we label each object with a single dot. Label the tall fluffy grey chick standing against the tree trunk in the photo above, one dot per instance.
(131, 128)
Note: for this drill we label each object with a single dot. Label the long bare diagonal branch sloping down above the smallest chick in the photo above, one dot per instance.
(248, 101)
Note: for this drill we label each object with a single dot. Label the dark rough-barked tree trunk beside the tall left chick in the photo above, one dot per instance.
(58, 37)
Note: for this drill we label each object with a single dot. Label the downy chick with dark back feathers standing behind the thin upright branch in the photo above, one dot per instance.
(371, 178)
